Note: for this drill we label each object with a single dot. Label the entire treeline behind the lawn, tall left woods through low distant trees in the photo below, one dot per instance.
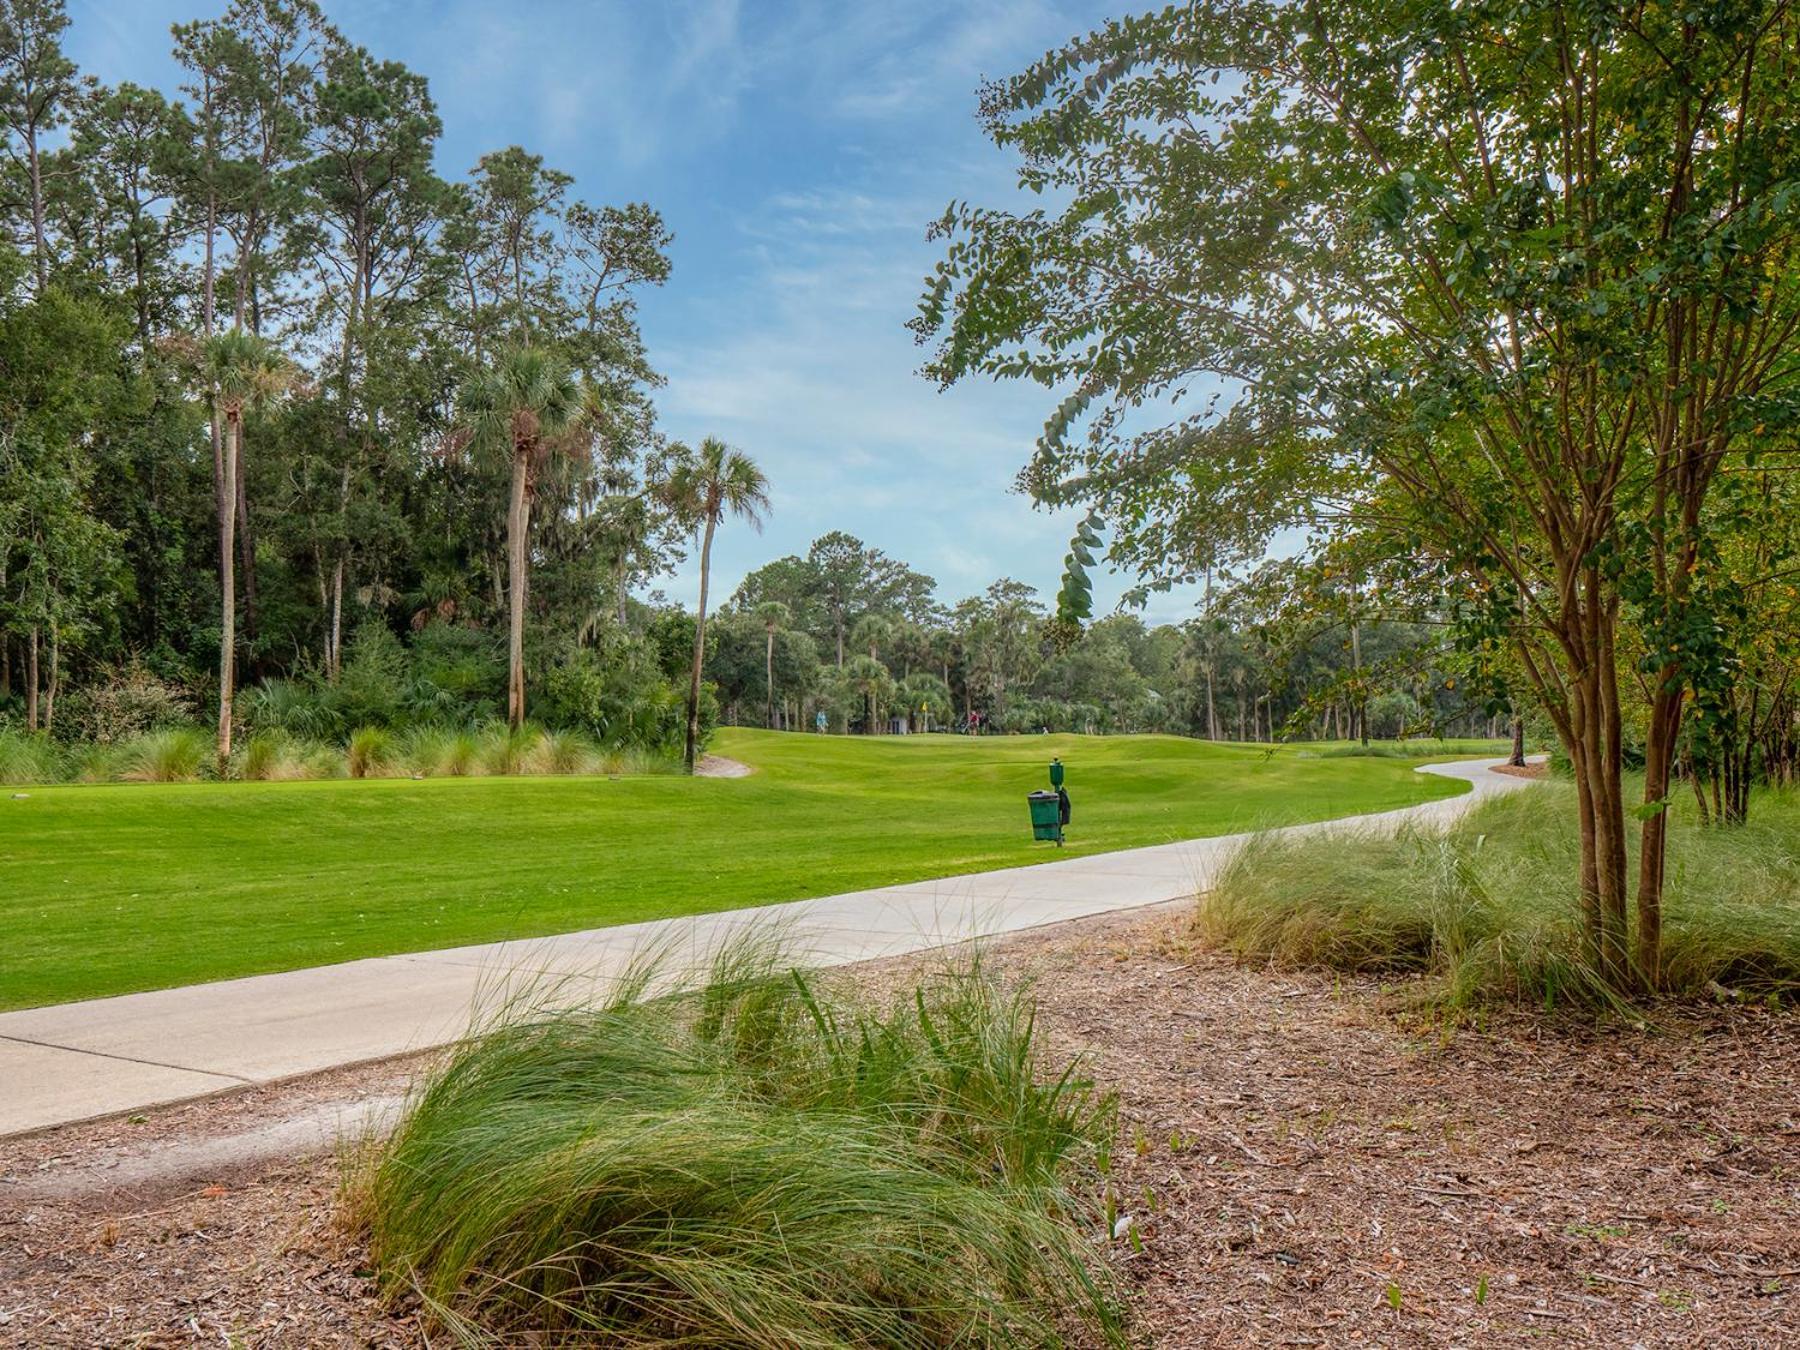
(285, 408)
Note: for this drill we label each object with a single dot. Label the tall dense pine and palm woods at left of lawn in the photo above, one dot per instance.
(256, 348)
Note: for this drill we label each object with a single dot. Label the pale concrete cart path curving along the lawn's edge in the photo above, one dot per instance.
(78, 1061)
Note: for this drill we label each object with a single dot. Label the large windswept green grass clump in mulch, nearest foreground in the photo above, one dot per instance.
(757, 1160)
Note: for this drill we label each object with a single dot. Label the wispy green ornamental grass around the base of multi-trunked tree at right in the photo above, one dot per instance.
(1488, 908)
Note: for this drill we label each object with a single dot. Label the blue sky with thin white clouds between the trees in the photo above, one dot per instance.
(798, 150)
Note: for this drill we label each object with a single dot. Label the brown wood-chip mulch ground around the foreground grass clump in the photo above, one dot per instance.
(1304, 1164)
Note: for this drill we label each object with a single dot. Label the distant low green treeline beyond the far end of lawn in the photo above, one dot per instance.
(861, 638)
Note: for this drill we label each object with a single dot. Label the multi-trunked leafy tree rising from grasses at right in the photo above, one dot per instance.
(1506, 285)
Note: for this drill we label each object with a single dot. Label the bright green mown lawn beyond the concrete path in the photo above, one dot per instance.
(107, 890)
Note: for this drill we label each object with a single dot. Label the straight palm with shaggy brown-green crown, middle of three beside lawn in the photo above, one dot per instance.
(525, 408)
